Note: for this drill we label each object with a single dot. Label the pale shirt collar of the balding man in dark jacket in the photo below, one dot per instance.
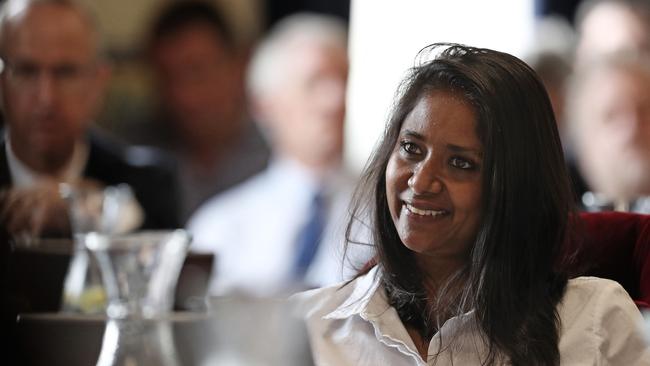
(24, 176)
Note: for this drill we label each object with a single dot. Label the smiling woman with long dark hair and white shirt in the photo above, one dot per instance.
(470, 207)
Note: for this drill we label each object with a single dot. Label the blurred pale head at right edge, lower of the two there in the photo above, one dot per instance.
(609, 123)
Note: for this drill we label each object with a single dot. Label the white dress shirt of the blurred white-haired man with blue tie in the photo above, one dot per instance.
(252, 229)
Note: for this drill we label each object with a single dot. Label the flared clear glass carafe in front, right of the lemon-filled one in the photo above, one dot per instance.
(139, 272)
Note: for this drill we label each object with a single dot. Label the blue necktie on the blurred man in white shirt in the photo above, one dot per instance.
(310, 236)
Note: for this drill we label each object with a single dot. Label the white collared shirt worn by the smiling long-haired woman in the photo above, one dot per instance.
(355, 325)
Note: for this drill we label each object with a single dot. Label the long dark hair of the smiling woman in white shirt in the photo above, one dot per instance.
(514, 277)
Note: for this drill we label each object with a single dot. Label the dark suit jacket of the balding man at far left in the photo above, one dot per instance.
(150, 175)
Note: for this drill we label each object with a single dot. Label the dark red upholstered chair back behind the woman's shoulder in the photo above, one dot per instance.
(616, 245)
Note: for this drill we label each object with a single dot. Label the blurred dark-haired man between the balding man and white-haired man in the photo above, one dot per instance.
(199, 74)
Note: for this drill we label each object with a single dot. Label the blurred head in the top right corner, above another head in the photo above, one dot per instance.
(608, 27)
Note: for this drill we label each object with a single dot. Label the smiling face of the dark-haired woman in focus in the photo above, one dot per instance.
(433, 177)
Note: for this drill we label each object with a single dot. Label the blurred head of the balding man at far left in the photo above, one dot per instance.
(52, 81)
